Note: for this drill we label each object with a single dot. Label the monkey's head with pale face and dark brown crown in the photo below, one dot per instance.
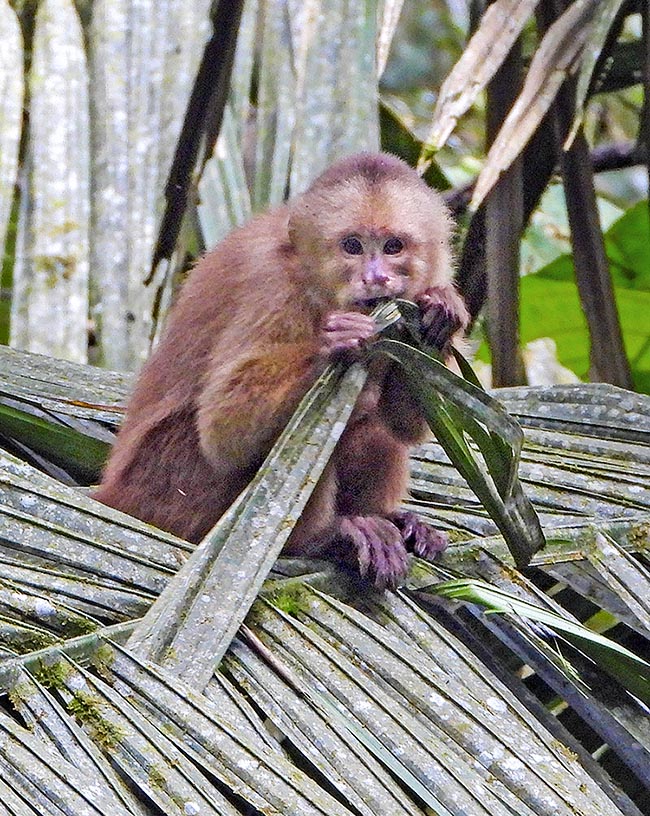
(369, 228)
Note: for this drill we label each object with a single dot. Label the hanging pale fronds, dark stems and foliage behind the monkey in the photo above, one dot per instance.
(101, 257)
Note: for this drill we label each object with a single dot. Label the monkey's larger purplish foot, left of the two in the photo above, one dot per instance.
(381, 553)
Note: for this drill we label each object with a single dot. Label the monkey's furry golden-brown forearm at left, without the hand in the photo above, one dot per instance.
(247, 401)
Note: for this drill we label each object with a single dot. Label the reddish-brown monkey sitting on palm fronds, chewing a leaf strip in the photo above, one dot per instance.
(256, 321)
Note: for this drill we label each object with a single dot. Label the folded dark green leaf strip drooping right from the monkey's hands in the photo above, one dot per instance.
(454, 408)
